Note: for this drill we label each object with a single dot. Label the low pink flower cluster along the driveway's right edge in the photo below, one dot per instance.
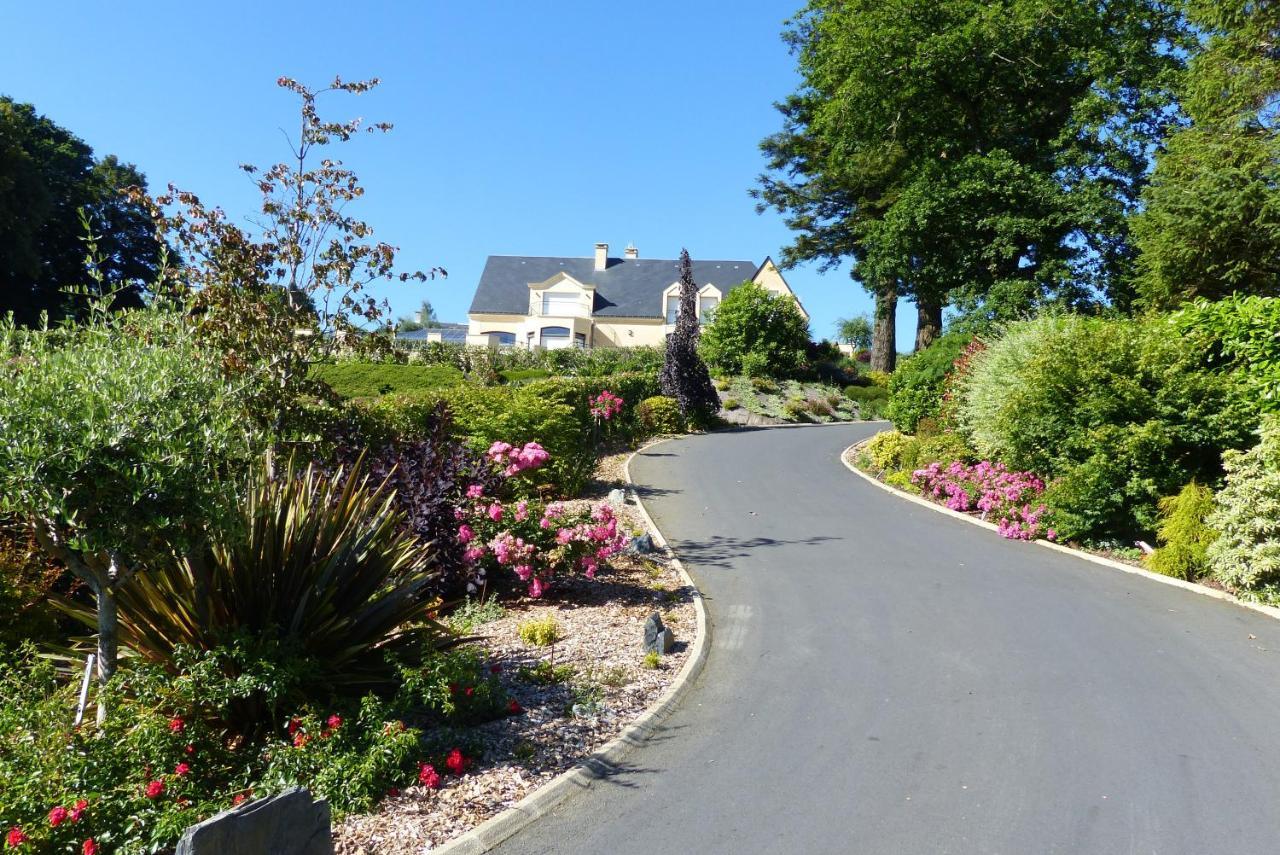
(1008, 499)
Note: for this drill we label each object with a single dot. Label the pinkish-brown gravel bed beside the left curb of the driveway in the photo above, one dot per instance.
(602, 632)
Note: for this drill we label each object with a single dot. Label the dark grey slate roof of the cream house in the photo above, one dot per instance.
(625, 289)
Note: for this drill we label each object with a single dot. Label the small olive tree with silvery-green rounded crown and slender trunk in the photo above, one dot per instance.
(124, 442)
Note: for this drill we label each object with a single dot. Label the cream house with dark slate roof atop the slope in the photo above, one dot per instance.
(598, 301)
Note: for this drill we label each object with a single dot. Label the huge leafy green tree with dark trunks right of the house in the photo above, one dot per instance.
(984, 154)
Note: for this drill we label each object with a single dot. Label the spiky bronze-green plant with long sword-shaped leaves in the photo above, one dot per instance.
(319, 566)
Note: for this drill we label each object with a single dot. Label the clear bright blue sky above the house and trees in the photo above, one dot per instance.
(520, 129)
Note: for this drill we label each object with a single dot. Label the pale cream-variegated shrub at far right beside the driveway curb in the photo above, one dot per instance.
(1247, 515)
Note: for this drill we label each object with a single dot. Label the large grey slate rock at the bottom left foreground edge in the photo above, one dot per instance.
(291, 824)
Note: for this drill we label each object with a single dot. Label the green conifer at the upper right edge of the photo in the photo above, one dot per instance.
(1212, 225)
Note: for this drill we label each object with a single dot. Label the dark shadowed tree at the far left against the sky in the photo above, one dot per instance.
(49, 177)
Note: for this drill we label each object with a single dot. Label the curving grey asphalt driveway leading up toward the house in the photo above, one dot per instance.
(885, 680)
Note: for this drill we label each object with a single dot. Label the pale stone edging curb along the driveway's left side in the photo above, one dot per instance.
(604, 762)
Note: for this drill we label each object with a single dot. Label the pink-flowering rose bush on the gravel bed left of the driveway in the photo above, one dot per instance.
(536, 543)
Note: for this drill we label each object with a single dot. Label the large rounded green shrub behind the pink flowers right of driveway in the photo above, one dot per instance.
(1114, 414)
